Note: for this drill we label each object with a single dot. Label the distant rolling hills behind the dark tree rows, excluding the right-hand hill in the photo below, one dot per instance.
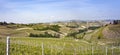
(62, 28)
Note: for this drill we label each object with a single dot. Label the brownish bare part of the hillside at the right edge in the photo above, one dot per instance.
(112, 33)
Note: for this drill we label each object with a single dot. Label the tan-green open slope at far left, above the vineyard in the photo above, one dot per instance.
(16, 32)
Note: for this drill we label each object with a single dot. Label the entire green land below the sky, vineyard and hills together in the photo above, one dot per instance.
(60, 39)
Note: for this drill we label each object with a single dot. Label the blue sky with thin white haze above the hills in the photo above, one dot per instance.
(35, 11)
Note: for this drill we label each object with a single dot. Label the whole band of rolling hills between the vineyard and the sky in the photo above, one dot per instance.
(95, 32)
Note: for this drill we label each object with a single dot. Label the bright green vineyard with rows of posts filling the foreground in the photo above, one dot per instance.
(55, 46)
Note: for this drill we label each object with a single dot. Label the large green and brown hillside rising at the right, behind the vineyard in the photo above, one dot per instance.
(107, 34)
